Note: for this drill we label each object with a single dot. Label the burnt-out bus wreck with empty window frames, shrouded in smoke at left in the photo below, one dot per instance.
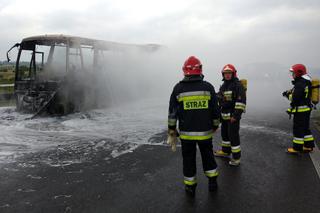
(54, 73)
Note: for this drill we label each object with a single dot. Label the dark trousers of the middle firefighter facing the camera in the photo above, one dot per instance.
(231, 138)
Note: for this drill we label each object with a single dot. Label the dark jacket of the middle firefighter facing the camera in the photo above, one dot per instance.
(232, 99)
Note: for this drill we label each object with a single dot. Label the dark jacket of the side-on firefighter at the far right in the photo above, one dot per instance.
(300, 95)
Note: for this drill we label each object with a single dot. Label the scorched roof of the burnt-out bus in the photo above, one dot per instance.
(77, 41)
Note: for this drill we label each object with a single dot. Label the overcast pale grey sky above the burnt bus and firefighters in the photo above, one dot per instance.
(224, 31)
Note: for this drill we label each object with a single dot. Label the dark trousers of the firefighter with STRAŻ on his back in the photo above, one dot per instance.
(189, 149)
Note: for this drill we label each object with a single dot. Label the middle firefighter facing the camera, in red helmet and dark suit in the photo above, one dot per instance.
(232, 101)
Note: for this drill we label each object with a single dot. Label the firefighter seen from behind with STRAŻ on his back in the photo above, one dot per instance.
(193, 103)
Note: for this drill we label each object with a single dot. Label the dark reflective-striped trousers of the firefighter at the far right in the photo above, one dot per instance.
(302, 135)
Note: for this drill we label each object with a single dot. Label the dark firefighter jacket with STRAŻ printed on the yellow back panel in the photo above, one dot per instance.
(194, 104)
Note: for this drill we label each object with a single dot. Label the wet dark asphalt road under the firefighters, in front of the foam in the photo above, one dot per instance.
(149, 179)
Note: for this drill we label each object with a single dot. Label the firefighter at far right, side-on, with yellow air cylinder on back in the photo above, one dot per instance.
(300, 97)
